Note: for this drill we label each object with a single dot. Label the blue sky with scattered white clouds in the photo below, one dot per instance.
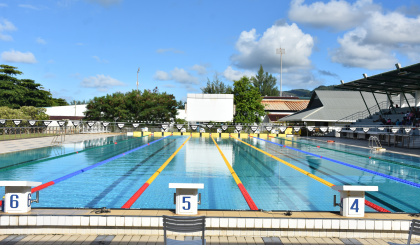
(81, 49)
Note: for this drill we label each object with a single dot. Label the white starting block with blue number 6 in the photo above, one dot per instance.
(18, 196)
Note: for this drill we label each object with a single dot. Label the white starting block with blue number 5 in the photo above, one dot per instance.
(186, 197)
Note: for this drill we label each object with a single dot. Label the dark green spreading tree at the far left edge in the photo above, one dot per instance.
(15, 93)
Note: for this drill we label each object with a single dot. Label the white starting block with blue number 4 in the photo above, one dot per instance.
(352, 199)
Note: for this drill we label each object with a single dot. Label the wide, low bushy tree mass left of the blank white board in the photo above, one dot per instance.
(134, 105)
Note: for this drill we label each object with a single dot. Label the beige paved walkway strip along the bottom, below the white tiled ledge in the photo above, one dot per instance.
(158, 240)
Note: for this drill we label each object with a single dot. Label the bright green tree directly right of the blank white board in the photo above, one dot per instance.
(247, 101)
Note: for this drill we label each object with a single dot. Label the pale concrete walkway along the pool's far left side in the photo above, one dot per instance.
(7, 146)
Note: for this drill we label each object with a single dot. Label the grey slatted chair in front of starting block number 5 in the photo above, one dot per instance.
(184, 225)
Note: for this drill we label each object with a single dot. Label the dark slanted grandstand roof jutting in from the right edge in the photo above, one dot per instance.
(403, 79)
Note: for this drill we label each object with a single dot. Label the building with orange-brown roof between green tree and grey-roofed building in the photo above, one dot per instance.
(279, 107)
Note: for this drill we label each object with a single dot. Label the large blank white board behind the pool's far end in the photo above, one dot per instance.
(210, 108)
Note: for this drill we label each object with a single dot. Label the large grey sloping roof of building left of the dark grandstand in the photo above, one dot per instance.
(331, 106)
